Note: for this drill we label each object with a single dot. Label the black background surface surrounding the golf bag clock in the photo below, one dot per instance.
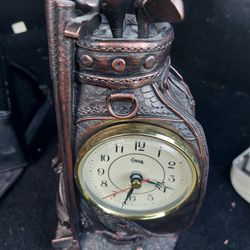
(212, 51)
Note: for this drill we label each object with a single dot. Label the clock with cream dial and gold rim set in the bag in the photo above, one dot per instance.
(137, 174)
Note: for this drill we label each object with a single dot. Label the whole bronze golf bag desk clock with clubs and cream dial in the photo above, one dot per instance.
(132, 159)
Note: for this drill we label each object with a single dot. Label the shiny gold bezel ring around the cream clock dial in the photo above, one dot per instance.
(143, 129)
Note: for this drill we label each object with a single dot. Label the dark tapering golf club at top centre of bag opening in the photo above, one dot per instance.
(115, 12)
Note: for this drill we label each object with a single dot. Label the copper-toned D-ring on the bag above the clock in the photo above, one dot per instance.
(123, 97)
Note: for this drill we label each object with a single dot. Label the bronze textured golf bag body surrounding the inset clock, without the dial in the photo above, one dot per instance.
(100, 82)
